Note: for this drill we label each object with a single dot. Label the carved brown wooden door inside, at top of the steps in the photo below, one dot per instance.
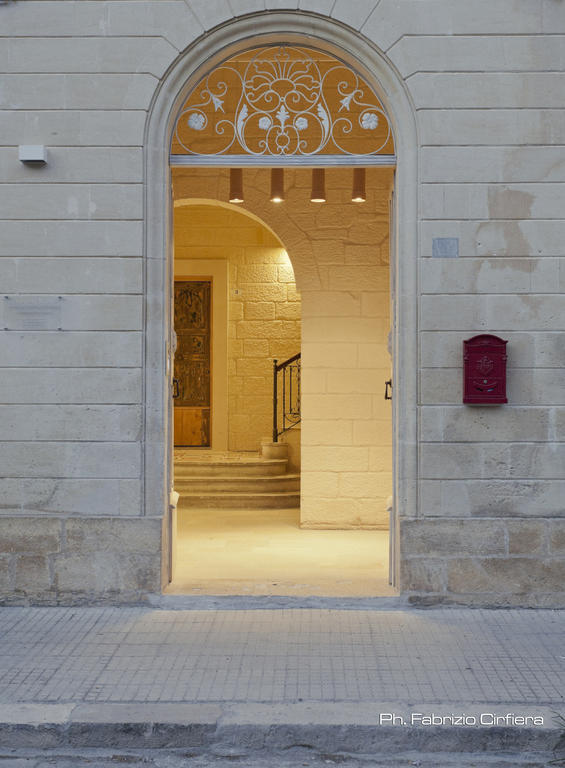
(192, 362)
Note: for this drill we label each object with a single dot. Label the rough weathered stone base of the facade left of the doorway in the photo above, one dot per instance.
(52, 560)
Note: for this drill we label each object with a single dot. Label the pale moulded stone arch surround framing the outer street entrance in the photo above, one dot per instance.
(181, 78)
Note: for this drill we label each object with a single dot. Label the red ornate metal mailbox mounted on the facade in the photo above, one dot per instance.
(484, 370)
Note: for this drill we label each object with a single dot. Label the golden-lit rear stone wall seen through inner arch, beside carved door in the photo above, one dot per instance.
(263, 312)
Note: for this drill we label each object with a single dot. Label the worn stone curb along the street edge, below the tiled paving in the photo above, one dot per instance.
(351, 727)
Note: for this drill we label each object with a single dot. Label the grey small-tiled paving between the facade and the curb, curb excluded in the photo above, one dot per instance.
(131, 654)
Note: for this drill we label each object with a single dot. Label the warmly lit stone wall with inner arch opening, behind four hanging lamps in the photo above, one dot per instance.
(340, 255)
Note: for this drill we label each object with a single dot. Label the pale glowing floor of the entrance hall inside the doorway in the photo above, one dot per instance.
(265, 552)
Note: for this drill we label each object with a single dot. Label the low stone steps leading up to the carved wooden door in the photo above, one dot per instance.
(237, 480)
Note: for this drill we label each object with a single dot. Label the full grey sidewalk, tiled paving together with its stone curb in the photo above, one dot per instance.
(272, 679)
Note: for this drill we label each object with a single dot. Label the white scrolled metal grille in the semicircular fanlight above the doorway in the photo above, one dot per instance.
(282, 102)
